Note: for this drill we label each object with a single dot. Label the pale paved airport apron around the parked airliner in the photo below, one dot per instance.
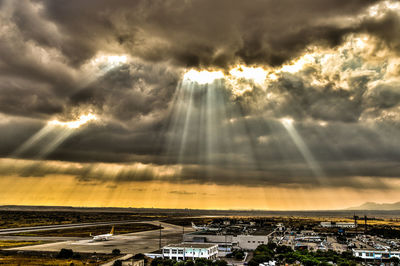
(133, 243)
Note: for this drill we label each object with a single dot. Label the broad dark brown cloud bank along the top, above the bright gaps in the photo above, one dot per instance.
(194, 33)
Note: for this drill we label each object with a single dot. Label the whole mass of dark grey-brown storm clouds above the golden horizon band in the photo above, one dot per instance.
(47, 45)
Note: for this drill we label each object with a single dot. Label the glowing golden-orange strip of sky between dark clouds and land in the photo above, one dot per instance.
(65, 190)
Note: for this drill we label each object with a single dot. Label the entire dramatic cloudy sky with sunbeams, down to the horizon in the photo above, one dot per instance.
(226, 104)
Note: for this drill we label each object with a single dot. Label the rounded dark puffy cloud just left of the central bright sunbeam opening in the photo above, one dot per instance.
(130, 90)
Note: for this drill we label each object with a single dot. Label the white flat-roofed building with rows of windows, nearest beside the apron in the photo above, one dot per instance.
(186, 251)
